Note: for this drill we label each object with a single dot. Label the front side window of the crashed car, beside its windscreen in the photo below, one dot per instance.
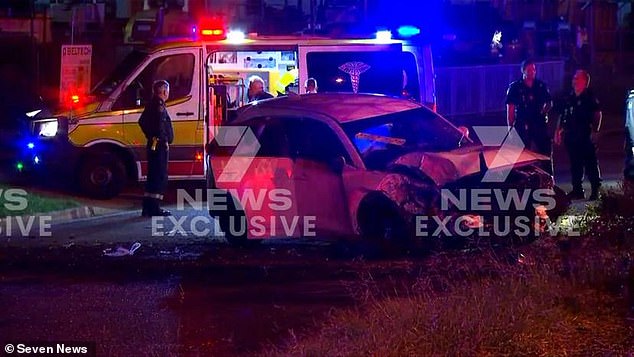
(316, 141)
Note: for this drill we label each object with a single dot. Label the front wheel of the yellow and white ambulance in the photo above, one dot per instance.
(102, 176)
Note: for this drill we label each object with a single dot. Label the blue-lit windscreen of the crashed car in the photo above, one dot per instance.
(398, 133)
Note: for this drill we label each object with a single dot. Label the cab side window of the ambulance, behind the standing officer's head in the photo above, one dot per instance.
(177, 69)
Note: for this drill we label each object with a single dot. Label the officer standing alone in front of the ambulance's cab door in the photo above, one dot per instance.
(157, 127)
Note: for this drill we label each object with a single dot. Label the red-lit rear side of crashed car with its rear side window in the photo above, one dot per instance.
(258, 174)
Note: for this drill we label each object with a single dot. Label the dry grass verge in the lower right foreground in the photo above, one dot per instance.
(565, 296)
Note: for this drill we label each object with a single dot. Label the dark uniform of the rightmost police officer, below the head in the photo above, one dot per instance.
(576, 122)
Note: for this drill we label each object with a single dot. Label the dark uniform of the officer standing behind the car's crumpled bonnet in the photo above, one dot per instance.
(530, 123)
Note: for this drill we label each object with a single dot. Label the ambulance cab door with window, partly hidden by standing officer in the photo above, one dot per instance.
(180, 69)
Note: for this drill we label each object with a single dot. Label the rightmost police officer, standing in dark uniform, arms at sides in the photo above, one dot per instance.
(578, 127)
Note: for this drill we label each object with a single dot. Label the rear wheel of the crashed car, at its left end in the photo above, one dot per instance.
(233, 223)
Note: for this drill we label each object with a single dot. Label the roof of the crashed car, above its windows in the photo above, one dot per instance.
(343, 107)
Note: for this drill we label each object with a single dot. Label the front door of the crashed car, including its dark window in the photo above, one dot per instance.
(319, 158)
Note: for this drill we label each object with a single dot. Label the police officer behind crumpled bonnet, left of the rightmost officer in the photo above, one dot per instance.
(528, 102)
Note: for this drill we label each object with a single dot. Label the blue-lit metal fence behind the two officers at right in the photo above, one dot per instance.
(481, 90)
